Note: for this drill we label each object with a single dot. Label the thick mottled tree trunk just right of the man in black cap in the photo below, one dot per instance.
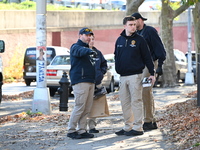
(169, 75)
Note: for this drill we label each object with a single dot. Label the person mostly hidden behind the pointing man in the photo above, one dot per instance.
(100, 68)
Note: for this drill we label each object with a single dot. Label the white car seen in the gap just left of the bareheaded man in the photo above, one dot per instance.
(111, 65)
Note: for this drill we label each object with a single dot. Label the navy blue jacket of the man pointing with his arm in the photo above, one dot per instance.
(82, 64)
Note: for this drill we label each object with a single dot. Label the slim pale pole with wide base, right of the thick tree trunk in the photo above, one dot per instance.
(189, 77)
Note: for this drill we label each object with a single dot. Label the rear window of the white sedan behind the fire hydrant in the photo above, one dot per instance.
(61, 60)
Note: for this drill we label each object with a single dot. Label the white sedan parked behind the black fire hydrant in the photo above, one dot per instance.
(60, 64)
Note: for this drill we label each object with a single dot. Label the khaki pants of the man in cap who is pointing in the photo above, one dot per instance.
(83, 93)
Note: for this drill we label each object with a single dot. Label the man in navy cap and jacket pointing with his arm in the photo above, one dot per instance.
(82, 76)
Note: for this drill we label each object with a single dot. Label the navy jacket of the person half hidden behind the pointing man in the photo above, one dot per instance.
(100, 66)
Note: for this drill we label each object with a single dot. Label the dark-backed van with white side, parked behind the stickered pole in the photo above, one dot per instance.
(29, 68)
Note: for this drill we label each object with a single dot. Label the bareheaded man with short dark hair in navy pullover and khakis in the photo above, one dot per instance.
(131, 57)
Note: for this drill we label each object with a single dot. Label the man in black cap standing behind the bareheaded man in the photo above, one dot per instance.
(158, 55)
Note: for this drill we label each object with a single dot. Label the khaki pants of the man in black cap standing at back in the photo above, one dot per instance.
(148, 99)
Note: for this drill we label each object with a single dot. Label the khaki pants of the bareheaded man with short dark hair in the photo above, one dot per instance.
(130, 94)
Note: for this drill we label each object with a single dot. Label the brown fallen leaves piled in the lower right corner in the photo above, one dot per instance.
(181, 122)
